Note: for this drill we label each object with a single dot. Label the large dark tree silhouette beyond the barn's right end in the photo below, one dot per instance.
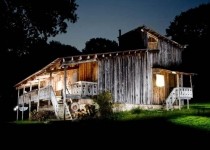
(192, 28)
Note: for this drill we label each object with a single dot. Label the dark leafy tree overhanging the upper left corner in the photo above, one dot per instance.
(25, 22)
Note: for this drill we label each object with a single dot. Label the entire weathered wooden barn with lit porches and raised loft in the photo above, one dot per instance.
(138, 75)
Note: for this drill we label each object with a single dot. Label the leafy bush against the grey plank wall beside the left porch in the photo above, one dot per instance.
(104, 100)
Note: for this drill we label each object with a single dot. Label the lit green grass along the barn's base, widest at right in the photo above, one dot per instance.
(197, 117)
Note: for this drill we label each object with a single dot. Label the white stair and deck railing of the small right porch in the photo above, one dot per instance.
(177, 93)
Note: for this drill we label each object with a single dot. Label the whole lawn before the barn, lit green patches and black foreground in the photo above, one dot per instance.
(158, 127)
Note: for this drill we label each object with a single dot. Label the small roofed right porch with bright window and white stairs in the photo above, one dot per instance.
(172, 88)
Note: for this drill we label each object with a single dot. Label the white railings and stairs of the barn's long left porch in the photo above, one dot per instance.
(61, 107)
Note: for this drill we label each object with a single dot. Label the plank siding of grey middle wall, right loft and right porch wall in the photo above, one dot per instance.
(130, 78)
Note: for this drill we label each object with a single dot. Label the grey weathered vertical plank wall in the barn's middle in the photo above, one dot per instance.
(127, 78)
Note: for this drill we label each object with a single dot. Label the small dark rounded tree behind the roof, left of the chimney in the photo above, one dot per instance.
(100, 45)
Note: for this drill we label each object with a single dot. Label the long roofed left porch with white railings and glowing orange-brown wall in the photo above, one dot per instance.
(58, 85)
